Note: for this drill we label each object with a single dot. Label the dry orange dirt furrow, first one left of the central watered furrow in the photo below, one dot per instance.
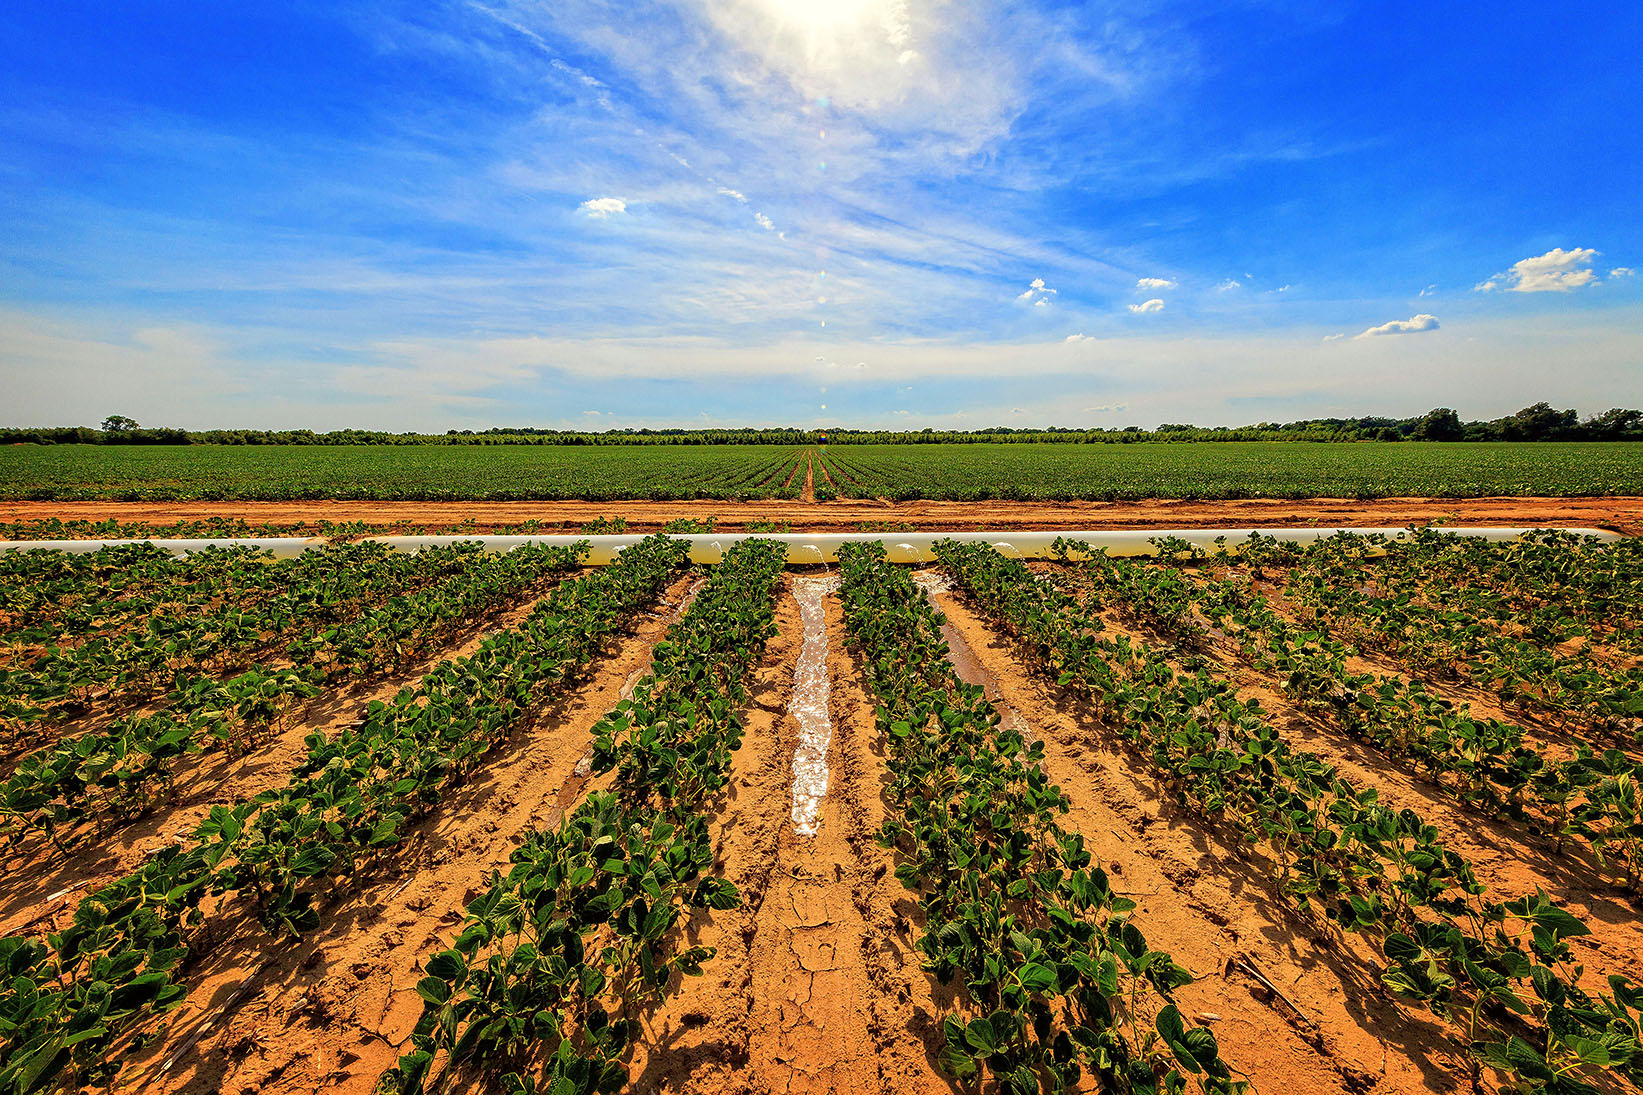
(338, 1009)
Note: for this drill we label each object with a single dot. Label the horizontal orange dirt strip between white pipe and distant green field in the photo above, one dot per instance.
(844, 514)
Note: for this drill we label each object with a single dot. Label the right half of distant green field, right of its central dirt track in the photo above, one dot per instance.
(969, 473)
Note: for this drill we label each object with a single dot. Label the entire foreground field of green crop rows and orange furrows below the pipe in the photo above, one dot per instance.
(1274, 818)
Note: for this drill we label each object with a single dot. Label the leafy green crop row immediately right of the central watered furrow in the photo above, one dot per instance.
(1057, 976)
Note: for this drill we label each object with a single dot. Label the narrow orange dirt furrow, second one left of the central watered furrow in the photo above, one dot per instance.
(44, 877)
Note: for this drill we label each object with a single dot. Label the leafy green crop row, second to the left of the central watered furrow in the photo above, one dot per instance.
(70, 997)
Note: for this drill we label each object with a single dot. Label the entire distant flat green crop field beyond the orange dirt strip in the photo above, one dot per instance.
(960, 473)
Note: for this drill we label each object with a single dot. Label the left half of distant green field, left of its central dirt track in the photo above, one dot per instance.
(400, 473)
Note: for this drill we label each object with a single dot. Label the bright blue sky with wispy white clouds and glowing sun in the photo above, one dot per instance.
(880, 213)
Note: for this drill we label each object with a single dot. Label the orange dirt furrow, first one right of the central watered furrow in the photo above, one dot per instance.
(1213, 910)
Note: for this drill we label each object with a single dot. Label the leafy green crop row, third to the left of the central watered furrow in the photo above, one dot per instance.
(127, 767)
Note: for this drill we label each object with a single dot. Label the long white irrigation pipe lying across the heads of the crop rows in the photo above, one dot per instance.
(816, 548)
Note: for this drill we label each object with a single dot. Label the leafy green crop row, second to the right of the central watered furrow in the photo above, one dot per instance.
(1503, 973)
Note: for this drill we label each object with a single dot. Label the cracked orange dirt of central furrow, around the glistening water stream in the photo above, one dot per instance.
(816, 984)
